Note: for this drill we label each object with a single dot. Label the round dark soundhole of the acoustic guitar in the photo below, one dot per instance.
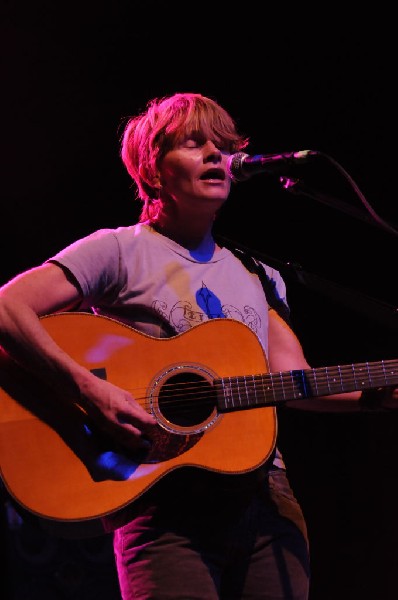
(187, 399)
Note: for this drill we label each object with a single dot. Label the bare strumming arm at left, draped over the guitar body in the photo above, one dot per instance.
(45, 290)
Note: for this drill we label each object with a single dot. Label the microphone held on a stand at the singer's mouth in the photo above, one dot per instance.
(241, 166)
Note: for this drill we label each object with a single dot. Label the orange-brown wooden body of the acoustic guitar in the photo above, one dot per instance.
(56, 465)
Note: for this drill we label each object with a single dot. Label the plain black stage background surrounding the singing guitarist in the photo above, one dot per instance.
(292, 80)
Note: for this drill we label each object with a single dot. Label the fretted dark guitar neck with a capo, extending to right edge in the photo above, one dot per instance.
(270, 389)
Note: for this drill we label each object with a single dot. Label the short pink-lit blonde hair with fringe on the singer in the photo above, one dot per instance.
(149, 136)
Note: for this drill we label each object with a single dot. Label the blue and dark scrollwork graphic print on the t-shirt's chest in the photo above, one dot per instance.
(184, 315)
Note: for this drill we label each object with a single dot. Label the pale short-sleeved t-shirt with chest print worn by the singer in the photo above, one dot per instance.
(142, 278)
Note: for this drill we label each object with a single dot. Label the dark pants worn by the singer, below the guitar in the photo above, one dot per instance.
(239, 541)
